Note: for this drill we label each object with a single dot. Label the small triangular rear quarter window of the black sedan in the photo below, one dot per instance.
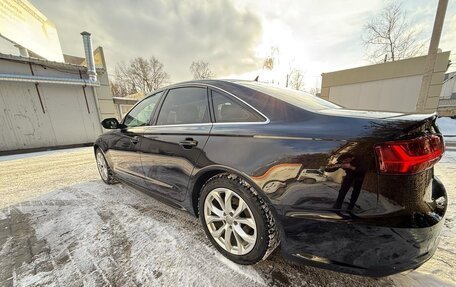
(228, 110)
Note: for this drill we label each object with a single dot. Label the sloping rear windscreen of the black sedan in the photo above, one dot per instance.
(294, 97)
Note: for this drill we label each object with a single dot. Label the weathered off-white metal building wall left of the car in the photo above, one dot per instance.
(62, 117)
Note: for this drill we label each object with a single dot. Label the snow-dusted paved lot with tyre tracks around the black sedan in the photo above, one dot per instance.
(61, 226)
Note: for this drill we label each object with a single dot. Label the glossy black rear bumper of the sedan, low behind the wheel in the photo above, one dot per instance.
(363, 247)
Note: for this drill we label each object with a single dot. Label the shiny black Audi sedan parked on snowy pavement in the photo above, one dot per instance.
(263, 166)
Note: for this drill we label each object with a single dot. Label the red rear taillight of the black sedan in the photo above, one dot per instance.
(409, 156)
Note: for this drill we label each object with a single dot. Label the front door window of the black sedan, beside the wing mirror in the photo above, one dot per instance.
(142, 113)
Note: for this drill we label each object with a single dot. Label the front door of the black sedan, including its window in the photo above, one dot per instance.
(124, 151)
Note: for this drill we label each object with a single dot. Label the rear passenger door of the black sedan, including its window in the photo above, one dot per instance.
(171, 147)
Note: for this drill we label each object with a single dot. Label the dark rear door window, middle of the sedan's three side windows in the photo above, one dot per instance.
(184, 106)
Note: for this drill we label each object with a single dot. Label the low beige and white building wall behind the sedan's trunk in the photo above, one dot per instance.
(392, 86)
